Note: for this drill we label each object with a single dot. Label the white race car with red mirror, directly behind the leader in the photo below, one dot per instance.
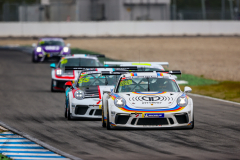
(84, 97)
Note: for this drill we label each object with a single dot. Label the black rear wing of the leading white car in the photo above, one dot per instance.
(174, 72)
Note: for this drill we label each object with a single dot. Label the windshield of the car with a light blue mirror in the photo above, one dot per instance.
(78, 62)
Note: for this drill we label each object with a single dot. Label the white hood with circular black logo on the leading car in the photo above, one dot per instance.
(150, 99)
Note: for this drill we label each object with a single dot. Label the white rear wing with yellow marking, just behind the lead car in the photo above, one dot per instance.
(136, 63)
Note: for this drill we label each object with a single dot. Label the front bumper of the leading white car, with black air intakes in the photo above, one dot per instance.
(140, 120)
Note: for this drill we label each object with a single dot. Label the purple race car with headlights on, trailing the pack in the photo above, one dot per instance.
(50, 49)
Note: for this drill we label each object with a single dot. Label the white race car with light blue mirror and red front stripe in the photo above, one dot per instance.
(61, 76)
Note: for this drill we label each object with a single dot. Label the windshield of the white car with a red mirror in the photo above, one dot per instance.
(97, 80)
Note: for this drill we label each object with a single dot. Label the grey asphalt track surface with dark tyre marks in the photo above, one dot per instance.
(27, 104)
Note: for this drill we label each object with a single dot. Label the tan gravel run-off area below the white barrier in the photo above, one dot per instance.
(215, 58)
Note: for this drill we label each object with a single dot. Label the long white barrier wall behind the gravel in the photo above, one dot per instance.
(120, 28)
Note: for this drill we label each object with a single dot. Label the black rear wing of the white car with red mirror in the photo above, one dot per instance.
(86, 67)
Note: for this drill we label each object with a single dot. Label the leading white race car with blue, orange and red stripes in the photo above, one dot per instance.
(147, 100)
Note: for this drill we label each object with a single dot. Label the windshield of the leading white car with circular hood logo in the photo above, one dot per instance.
(147, 84)
